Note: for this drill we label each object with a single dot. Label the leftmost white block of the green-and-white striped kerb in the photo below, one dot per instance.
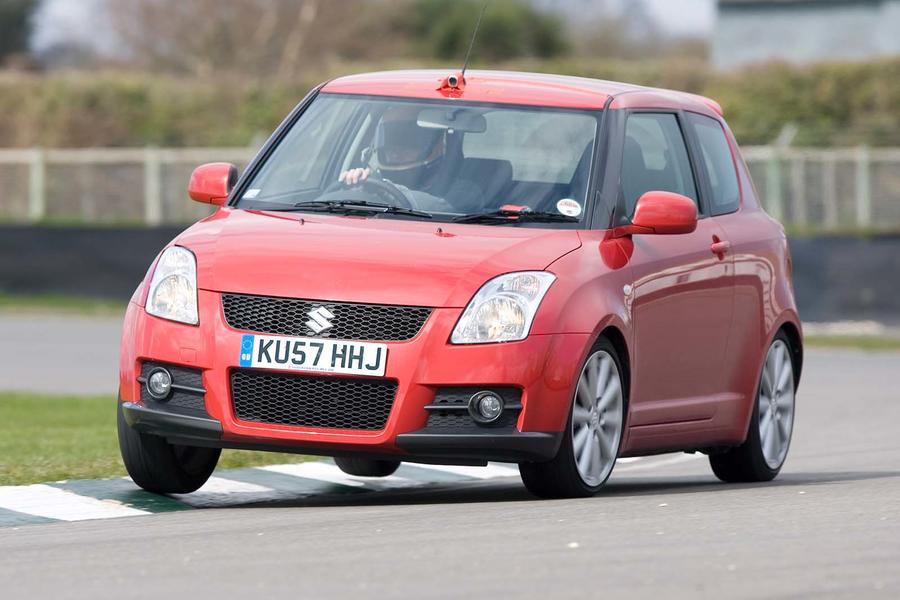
(54, 503)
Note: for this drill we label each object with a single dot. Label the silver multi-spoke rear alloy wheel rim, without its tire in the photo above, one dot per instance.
(776, 404)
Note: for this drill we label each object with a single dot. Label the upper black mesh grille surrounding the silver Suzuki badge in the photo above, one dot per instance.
(288, 316)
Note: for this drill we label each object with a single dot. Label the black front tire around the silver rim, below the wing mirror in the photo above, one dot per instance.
(559, 477)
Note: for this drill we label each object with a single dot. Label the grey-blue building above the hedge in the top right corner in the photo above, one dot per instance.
(805, 31)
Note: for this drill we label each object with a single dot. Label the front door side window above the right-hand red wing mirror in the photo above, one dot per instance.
(655, 158)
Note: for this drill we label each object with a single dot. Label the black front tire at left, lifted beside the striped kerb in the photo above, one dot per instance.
(163, 468)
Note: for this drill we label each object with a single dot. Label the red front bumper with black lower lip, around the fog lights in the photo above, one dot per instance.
(542, 367)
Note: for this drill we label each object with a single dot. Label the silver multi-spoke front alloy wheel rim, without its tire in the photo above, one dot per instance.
(597, 417)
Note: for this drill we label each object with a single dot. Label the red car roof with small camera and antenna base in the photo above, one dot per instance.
(506, 87)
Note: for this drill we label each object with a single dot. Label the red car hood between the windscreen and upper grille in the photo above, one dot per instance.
(359, 259)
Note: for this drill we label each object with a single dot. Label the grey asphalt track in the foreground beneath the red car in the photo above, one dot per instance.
(829, 526)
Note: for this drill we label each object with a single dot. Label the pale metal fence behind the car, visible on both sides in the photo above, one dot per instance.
(825, 189)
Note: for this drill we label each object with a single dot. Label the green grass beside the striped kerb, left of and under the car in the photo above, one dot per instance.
(50, 438)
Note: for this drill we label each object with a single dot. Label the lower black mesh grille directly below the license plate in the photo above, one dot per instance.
(312, 401)
